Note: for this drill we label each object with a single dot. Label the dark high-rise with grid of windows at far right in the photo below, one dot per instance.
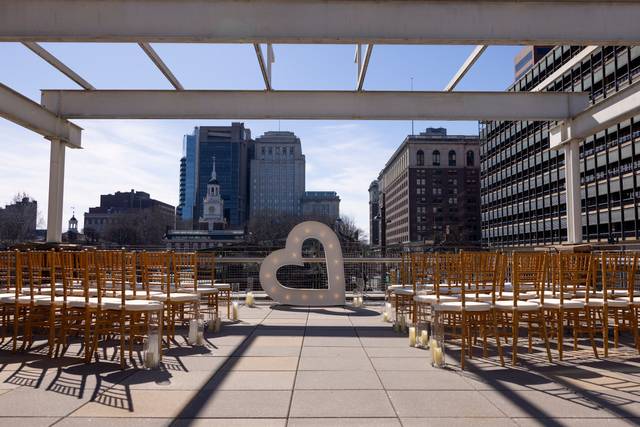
(523, 181)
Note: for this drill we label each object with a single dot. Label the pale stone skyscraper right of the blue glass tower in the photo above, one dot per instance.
(277, 175)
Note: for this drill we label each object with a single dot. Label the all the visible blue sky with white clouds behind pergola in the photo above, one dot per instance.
(144, 154)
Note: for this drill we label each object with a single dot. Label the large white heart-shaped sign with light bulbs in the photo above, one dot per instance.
(292, 255)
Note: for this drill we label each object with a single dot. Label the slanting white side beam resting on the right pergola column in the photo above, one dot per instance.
(618, 107)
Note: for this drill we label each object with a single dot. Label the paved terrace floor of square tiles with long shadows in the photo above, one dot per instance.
(307, 367)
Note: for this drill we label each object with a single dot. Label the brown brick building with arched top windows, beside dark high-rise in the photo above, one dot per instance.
(429, 190)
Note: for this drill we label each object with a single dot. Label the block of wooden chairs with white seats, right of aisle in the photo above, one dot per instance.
(494, 295)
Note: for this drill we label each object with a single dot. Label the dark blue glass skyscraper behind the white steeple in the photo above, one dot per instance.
(231, 146)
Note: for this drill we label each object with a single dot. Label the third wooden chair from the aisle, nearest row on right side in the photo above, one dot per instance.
(570, 273)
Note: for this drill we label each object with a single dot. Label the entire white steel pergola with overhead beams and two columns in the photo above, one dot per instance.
(363, 23)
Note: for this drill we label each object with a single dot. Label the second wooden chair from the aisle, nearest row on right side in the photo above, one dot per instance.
(528, 273)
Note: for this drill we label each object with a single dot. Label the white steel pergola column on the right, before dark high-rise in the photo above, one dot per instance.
(572, 184)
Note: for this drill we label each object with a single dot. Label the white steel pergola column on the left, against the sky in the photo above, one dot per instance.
(56, 191)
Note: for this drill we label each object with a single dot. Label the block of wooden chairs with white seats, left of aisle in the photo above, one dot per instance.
(99, 295)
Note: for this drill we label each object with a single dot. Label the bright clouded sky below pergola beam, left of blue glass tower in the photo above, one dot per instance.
(117, 156)
